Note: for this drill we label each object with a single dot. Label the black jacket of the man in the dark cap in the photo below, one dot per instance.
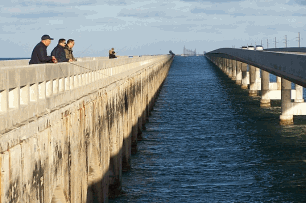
(39, 54)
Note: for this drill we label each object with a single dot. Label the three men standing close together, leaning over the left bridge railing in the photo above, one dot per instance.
(61, 53)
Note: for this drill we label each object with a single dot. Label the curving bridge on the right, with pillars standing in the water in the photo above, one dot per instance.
(251, 69)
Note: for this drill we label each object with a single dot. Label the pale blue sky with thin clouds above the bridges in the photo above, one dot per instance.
(142, 27)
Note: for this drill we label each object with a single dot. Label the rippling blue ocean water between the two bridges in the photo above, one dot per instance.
(208, 141)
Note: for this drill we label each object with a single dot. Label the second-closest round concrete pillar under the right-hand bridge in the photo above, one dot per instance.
(265, 100)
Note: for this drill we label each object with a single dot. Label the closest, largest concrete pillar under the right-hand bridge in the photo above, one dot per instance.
(286, 117)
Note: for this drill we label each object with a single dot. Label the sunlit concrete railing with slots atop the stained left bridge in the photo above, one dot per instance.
(29, 91)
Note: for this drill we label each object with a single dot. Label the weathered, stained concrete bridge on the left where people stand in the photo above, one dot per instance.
(68, 129)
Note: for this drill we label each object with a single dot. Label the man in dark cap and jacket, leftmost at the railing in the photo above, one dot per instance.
(39, 54)
